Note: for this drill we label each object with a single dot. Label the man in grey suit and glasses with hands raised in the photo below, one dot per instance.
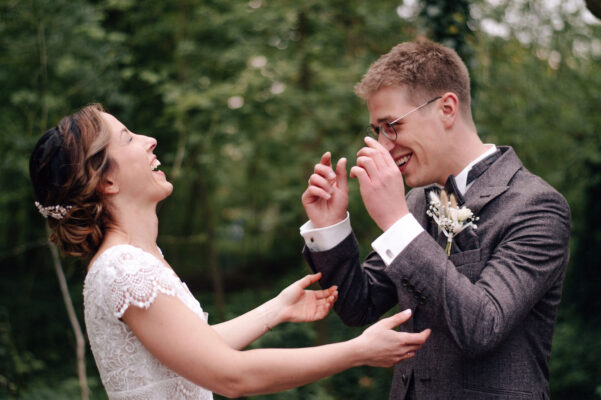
(492, 302)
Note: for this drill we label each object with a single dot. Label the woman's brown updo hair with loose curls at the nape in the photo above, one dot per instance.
(66, 167)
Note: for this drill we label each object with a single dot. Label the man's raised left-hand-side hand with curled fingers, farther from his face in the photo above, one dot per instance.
(326, 197)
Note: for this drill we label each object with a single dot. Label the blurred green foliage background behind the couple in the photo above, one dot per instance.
(243, 98)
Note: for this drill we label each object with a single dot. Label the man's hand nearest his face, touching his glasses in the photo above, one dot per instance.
(381, 183)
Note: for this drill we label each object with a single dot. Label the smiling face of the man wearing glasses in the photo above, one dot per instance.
(419, 149)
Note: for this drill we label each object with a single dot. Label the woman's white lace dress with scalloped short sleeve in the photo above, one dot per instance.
(120, 277)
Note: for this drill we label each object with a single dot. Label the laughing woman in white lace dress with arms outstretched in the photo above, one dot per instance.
(98, 184)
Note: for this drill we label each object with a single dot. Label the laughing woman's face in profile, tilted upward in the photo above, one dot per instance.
(136, 176)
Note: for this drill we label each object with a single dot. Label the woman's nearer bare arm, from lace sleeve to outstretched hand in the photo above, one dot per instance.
(191, 348)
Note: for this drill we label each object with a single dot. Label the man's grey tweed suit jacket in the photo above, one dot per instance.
(491, 305)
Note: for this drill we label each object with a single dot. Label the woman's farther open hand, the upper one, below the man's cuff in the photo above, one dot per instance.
(301, 305)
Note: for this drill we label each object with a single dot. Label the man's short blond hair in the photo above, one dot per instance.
(426, 68)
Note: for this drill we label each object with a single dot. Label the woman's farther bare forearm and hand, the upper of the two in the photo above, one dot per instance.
(293, 304)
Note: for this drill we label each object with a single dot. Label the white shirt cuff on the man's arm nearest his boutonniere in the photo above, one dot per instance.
(392, 242)
